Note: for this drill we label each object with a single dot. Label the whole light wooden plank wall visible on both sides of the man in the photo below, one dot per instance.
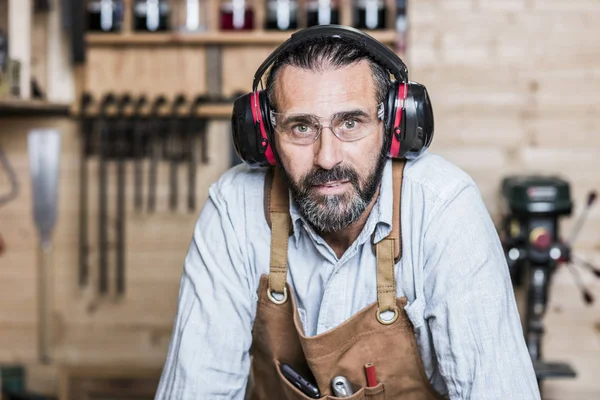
(514, 87)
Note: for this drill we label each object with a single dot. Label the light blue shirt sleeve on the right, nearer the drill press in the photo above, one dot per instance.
(471, 308)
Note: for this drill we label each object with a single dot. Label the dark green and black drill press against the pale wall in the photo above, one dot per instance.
(532, 207)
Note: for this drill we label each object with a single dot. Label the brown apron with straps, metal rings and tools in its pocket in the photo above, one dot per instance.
(365, 338)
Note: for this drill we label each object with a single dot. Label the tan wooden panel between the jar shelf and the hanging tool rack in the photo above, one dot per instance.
(182, 69)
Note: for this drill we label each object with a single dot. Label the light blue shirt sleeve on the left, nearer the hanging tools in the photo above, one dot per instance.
(208, 356)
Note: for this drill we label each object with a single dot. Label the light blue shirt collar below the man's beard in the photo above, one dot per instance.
(379, 221)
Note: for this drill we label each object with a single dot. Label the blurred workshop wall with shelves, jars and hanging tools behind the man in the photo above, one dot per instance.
(514, 85)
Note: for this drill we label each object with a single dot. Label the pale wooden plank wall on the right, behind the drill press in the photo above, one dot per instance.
(514, 86)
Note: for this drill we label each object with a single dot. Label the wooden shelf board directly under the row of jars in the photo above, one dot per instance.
(259, 37)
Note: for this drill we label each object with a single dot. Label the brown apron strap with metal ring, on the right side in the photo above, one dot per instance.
(388, 252)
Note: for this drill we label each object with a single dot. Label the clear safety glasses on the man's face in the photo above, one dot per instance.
(305, 129)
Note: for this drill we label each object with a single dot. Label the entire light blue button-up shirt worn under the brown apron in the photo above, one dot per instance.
(453, 273)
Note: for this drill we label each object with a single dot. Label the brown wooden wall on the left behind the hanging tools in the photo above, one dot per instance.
(90, 330)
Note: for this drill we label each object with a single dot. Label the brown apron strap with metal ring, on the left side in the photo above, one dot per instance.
(278, 205)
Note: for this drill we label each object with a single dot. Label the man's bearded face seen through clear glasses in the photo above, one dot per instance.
(332, 181)
